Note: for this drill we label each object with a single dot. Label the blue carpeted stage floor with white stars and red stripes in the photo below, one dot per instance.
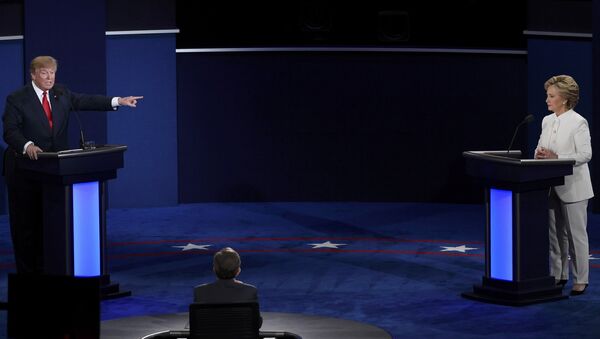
(391, 271)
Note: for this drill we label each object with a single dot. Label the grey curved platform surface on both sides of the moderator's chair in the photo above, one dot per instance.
(306, 326)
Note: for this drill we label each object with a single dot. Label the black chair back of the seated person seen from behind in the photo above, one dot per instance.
(224, 321)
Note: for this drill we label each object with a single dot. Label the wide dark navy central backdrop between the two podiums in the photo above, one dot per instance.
(341, 126)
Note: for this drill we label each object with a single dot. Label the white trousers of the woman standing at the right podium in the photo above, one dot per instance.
(568, 237)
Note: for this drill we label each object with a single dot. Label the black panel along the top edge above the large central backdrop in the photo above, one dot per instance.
(497, 24)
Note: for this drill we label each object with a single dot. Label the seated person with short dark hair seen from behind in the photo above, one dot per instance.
(226, 289)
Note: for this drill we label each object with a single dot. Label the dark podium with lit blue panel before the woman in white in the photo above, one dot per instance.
(516, 226)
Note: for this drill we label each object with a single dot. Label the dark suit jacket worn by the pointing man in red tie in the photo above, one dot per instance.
(24, 118)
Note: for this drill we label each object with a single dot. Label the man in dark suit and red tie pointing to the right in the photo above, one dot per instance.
(36, 120)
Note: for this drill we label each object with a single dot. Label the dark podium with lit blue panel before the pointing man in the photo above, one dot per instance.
(74, 210)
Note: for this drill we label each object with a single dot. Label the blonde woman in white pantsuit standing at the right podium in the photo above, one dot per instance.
(565, 134)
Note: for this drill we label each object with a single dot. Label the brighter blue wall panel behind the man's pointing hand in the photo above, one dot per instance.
(144, 65)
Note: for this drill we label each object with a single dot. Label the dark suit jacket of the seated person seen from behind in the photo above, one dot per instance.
(225, 291)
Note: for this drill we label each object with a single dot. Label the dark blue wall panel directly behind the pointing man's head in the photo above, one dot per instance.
(74, 33)
